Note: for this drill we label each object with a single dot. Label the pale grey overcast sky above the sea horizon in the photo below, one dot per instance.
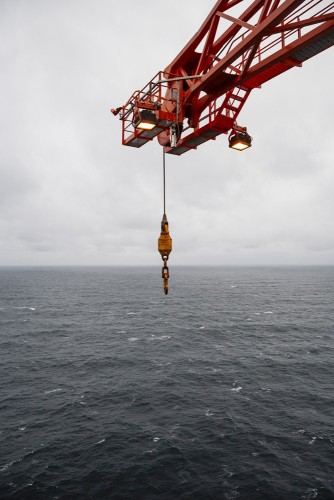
(70, 193)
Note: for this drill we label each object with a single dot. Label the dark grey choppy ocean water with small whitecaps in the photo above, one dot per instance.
(221, 390)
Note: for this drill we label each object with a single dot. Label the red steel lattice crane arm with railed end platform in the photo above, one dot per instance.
(240, 46)
